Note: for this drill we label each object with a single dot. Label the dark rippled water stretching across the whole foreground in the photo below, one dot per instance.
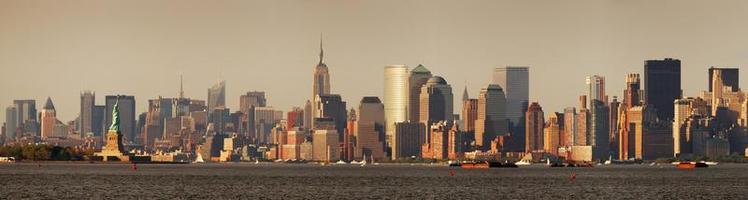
(307, 181)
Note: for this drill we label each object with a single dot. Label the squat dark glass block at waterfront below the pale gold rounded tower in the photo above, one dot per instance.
(410, 136)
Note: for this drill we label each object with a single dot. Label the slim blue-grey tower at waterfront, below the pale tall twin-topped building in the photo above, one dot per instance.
(599, 130)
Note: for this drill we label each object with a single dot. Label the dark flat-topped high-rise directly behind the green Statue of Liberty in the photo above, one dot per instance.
(126, 114)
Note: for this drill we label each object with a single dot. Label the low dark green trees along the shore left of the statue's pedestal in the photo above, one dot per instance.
(45, 152)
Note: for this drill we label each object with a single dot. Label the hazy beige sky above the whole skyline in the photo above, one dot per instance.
(59, 48)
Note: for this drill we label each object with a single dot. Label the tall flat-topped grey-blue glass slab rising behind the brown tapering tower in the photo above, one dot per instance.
(516, 84)
